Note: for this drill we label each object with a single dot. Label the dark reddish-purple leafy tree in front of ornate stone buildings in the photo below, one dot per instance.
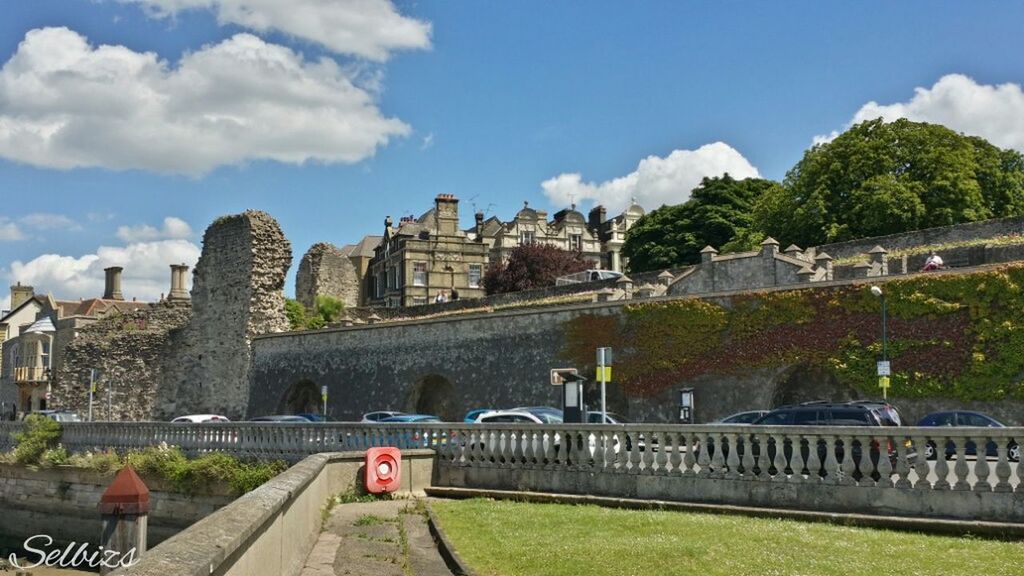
(532, 266)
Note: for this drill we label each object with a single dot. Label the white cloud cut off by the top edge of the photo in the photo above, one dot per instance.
(371, 29)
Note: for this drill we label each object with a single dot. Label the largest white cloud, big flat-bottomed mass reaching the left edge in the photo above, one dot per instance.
(65, 104)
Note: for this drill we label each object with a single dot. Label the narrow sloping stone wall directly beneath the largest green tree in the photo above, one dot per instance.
(933, 236)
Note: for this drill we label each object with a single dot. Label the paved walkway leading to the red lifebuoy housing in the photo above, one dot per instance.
(387, 539)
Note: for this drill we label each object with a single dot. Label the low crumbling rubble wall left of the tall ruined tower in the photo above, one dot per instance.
(131, 351)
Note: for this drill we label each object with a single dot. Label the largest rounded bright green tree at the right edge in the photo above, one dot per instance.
(880, 178)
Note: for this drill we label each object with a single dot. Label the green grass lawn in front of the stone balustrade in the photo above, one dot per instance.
(502, 539)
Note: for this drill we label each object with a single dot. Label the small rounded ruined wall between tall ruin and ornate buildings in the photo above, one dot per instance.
(326, 271)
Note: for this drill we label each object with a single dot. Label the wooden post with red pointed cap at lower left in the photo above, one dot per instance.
(125, 508)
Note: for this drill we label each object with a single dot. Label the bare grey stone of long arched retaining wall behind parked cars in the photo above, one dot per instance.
(502, 359)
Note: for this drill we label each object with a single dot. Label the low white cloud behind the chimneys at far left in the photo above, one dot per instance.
(147, 270)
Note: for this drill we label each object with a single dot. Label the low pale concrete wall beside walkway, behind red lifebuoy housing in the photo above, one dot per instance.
(271, 530)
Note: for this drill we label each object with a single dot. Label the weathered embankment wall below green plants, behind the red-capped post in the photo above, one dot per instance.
(63, 503)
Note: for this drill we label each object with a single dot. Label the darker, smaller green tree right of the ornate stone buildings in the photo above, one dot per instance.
(718, 214)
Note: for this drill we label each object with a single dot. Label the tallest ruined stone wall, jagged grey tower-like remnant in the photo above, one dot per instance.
(238, 294)
